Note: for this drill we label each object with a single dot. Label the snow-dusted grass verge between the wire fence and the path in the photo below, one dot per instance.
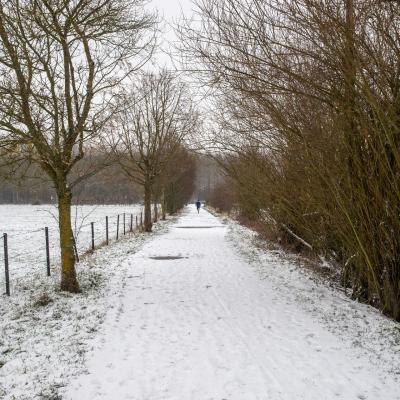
(44, 333)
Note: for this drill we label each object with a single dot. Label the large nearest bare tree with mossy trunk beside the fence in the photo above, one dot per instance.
(60, 61)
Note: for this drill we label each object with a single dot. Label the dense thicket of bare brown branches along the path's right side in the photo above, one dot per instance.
(308, 117)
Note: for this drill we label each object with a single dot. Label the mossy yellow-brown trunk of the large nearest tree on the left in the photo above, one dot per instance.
(69, 282)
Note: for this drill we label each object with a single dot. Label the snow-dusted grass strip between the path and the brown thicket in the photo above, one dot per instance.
(362, 327)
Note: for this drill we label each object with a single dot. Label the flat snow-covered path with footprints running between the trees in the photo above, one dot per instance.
(204, 326)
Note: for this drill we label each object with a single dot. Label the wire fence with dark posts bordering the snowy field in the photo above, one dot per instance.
(21, 260)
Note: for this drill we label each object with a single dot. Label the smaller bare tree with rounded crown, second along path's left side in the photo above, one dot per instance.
(156, 119)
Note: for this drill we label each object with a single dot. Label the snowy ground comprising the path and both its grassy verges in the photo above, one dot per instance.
(195, 311)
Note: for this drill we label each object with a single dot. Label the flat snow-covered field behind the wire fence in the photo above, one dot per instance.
(24, 225)
